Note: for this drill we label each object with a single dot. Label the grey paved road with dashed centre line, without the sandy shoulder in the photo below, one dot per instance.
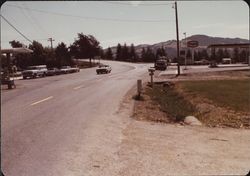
(62, 125)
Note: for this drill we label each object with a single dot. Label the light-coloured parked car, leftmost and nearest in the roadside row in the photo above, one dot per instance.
(35, 71)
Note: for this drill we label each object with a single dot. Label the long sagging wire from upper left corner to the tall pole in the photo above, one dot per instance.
(93, 18)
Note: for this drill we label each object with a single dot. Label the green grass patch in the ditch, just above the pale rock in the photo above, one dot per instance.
(171, 102)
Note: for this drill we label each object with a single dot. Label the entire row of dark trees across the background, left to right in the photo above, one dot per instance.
(88, 47)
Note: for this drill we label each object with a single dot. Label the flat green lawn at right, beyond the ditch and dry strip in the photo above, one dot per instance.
(233, 94)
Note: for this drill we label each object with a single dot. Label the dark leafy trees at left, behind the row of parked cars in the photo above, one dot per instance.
(85, 46)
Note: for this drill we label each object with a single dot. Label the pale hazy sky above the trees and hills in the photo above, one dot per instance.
(137, 22)
